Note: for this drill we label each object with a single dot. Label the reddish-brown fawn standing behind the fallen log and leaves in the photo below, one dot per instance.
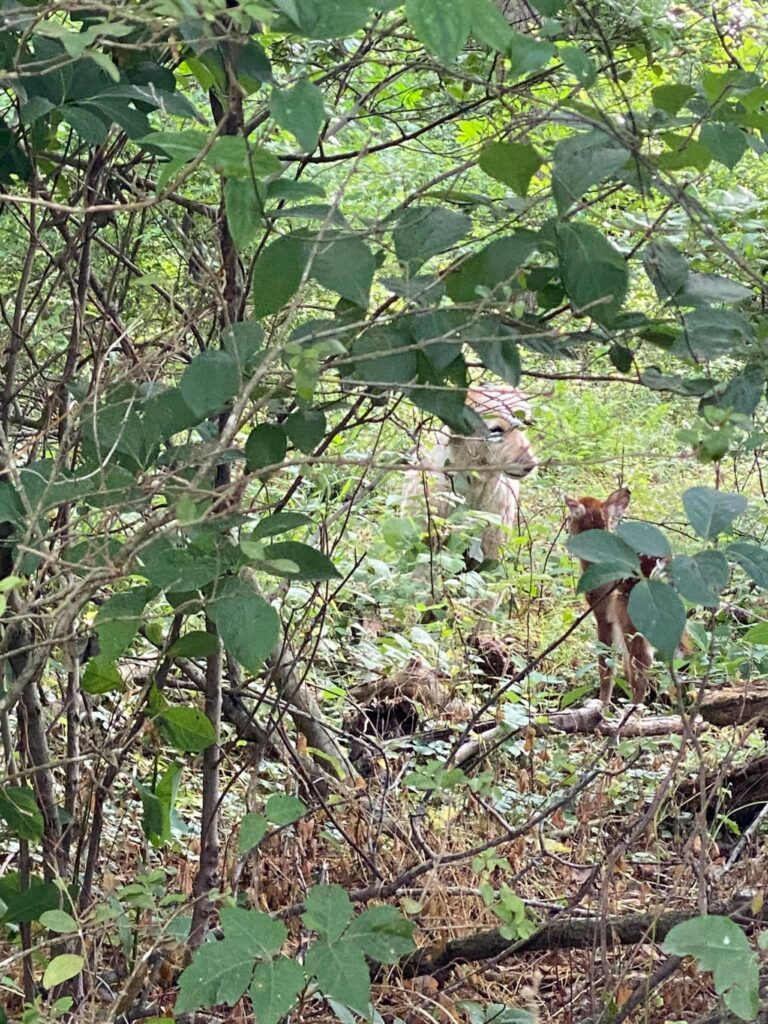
(610, 603)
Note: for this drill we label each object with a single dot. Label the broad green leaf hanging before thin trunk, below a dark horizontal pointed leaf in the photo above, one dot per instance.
(248, 626)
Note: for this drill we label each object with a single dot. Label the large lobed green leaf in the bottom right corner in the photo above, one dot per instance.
(721, 947)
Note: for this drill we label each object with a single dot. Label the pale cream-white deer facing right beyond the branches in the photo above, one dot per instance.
(493, 465)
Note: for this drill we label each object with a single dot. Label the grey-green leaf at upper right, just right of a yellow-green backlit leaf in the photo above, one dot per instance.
(582, 161)
